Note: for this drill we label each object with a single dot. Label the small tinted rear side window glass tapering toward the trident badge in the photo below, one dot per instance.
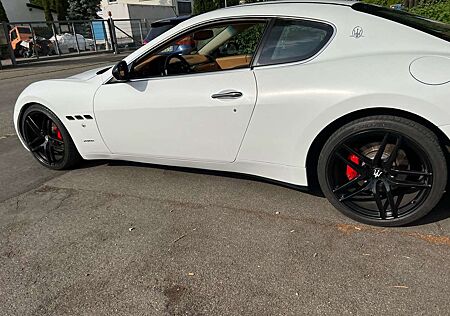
(294, 40)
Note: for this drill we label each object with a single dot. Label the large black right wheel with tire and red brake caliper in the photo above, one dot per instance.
(372, 173)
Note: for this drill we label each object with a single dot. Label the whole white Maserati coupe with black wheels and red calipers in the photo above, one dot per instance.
(347, 96)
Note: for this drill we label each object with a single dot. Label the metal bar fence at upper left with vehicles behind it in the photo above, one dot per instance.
(22, 42)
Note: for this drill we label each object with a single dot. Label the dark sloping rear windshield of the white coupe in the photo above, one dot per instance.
(438, 29)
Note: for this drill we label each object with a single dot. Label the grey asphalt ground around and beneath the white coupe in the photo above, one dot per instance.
(117, 238)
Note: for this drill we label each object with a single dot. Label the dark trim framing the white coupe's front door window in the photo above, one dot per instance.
(266, 19)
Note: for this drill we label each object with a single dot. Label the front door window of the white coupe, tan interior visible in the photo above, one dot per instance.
(211, 48)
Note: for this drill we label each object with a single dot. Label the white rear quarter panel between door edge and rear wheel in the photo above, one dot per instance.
(297, 101)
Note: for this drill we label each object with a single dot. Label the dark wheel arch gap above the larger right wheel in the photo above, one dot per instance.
(319, 141)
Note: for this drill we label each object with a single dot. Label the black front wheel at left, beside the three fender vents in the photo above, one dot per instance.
(48, 139)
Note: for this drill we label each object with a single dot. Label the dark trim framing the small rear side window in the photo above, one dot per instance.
(301, 61)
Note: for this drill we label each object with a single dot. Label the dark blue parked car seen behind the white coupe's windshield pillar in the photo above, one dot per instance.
(157, 28)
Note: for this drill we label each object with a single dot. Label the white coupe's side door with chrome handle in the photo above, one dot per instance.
(201, 115)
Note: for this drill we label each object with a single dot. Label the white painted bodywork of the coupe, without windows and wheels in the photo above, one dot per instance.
(174, 121)
